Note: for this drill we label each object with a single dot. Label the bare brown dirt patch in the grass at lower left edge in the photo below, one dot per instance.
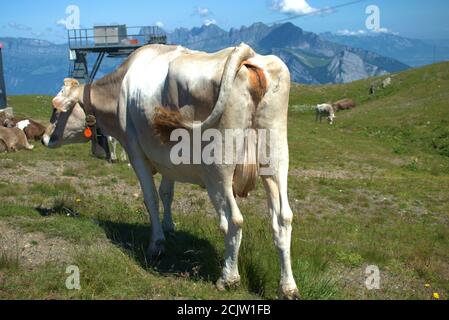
(33, 249)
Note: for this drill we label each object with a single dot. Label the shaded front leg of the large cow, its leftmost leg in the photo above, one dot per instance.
(144, 173)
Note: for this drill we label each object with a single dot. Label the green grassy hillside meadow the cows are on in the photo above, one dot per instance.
(371, 190)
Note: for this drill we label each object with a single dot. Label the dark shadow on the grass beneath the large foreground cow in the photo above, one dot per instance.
(186, 255)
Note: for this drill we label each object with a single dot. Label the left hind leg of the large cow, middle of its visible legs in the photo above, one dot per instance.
(231, 222)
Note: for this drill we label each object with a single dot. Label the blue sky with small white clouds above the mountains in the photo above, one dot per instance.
(38, 19)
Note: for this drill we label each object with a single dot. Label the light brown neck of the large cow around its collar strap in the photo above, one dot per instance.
(104, 105)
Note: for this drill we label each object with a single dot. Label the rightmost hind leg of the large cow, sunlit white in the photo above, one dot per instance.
(282, 218)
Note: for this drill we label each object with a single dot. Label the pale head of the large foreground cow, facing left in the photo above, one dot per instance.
(68, 121)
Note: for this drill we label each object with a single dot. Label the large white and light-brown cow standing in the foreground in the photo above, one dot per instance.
(169, 90)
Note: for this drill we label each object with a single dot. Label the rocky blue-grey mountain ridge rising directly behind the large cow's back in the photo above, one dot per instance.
(310, 58)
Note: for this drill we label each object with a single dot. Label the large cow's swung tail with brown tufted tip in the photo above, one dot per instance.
(165, 120)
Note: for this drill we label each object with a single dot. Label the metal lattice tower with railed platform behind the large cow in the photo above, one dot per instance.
(106, 41)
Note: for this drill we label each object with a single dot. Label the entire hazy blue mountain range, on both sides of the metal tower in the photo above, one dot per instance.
(38, 67)
